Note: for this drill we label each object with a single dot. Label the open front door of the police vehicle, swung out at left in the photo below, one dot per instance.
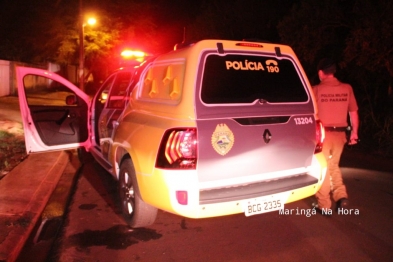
(54, 111)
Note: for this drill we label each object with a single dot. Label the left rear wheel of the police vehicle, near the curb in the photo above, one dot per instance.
(135, 212)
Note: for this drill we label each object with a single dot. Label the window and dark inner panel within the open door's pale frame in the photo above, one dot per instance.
(59, 116)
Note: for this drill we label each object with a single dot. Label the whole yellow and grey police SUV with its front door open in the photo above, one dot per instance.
(214, 128)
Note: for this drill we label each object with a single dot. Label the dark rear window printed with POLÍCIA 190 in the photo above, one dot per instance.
(246, 79)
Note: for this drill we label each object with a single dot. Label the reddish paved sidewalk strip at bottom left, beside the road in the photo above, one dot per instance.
(24, 194)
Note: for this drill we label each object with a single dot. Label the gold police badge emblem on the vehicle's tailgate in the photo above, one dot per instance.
(222, 139)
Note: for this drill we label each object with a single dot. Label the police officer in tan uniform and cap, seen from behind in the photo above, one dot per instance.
(335, 100)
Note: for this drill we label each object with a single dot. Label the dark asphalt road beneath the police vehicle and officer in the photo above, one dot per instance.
(94, 230)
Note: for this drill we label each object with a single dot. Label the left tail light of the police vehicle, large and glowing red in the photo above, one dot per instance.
(178, 149)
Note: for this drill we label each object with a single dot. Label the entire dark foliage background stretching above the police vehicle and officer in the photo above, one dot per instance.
(356, 33)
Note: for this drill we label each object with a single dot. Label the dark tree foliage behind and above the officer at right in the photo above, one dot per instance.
(358, 34)
